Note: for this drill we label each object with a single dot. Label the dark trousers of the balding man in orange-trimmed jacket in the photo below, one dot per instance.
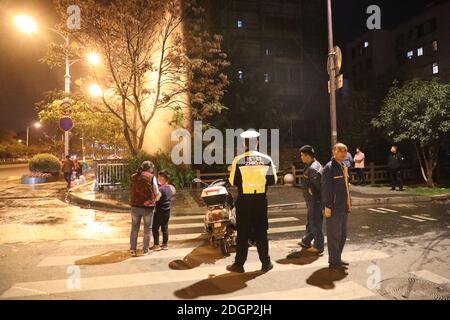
(336, 237)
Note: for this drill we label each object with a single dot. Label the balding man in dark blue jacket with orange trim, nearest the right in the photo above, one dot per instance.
(336, 204)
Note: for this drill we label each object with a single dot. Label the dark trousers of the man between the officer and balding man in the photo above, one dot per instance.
(314, 225)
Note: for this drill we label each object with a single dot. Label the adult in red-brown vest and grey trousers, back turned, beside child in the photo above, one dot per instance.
(144, 193)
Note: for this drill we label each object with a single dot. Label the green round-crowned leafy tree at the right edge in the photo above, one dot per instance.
(418, 111)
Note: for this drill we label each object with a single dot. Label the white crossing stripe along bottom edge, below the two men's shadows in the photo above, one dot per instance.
(348, 290)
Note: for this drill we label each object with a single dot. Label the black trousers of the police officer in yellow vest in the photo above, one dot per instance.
(252, 222)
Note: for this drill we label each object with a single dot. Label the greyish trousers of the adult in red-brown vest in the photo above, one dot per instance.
(138, 214)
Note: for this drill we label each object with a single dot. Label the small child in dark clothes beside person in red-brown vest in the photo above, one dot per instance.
(162, 212)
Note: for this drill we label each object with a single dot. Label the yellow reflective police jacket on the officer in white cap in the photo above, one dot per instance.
(252, 172)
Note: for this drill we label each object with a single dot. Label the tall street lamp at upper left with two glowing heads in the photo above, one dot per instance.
(26, 24)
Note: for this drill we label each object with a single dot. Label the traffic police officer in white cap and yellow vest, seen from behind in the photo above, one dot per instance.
(251, 172)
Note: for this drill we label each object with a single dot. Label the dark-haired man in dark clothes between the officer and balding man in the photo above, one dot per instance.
(311, 184)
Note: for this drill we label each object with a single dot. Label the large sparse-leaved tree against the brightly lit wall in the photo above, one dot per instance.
(149, 65)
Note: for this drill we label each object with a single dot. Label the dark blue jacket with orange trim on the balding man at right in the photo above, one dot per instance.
(335, 192)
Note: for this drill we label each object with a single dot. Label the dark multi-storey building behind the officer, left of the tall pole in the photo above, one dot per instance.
(277, 51)
